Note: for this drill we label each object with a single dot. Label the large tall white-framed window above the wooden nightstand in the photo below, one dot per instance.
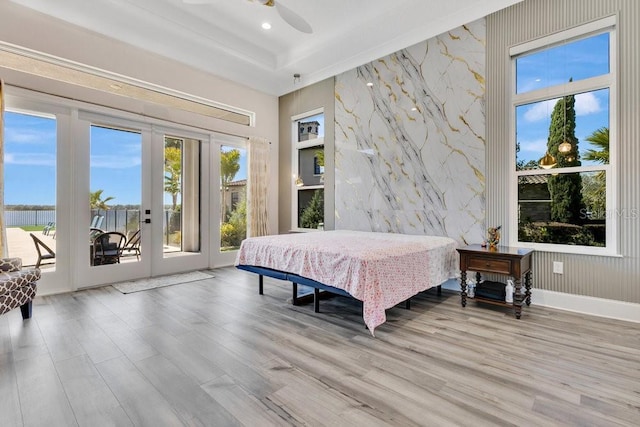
(564, 122)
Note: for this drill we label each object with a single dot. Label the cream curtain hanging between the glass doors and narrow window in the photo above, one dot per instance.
(257, 186)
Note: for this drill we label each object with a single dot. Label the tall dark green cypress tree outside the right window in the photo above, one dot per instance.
(565, 188)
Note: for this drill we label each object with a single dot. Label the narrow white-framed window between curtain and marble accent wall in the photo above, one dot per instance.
(308, 170)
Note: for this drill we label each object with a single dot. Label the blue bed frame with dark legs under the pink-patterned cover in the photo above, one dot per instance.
(299, 280)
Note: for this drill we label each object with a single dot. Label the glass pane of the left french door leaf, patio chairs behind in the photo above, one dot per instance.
(115, 196)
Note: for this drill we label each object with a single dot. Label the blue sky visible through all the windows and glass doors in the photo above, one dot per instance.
(30, 141)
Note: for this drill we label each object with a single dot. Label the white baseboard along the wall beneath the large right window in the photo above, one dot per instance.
(601, 307)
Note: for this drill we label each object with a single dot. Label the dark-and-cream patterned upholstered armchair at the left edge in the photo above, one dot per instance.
(17, 286)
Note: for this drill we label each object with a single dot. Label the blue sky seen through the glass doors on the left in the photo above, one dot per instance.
(30, 162)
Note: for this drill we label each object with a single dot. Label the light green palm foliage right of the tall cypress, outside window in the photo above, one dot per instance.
(595, 190)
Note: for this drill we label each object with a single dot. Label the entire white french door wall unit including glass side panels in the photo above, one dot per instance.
(97, 170)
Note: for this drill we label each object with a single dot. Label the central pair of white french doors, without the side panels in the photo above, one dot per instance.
(144, 183)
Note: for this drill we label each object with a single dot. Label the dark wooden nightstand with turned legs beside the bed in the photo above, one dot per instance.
(504, 260)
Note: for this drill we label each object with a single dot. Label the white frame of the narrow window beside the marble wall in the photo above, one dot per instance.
(296, 146)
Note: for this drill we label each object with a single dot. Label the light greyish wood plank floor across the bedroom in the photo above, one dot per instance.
(216, 353)
